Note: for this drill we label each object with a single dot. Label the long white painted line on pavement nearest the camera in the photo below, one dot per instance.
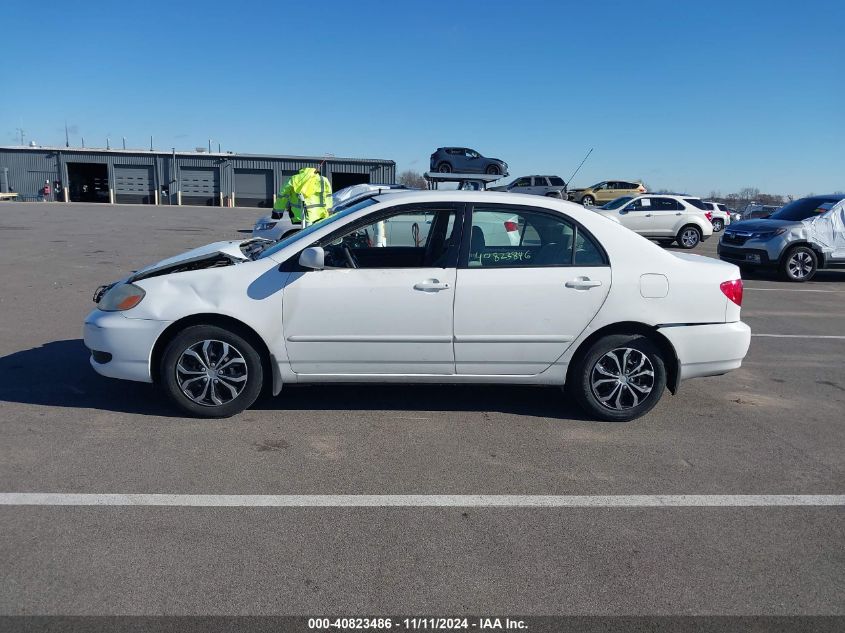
(417, 501)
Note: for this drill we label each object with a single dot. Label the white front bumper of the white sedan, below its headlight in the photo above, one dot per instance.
(129, 342)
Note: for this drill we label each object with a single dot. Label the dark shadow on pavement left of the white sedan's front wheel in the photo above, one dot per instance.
(58, 374)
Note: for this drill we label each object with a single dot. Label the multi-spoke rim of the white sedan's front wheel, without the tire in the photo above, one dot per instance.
(211, 373)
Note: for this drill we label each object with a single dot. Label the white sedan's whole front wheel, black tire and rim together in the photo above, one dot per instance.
(197, 351)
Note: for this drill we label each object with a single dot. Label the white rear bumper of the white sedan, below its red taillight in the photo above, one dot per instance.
(708, 350)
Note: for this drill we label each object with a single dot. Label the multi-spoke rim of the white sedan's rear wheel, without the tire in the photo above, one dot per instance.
(622, 379)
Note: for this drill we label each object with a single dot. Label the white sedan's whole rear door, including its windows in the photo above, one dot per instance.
(519, 304)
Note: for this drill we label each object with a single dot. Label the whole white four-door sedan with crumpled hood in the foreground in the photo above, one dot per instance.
(576, 301)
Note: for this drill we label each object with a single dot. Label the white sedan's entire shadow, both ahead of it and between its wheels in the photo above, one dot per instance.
(58, 374)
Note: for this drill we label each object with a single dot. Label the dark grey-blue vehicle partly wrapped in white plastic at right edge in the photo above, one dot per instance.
(797, 240)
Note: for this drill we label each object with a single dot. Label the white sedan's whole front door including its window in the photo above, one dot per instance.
(384, 304)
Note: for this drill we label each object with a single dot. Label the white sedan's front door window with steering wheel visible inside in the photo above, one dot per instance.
(412, 238)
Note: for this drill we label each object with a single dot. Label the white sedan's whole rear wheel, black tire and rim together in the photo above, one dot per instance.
(618, 401)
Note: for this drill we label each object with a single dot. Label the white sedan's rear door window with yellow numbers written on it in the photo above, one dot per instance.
(517, 238)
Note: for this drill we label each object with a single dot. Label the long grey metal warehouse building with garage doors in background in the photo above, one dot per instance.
(153, 177)
